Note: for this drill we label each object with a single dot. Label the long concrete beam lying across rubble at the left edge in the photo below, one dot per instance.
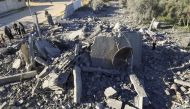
(17, 77)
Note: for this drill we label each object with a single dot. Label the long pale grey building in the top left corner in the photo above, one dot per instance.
(8, 5)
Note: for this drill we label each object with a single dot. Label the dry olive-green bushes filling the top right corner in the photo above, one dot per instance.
(171, 10)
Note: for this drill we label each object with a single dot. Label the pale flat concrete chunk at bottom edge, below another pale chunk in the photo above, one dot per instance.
(113, 103)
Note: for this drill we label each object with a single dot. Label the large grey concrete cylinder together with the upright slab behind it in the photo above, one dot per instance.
(113, 52)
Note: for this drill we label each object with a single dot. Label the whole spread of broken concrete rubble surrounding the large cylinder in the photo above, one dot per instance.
(56, 70)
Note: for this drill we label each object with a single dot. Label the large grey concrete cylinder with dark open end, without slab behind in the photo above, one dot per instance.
(110, 52)
